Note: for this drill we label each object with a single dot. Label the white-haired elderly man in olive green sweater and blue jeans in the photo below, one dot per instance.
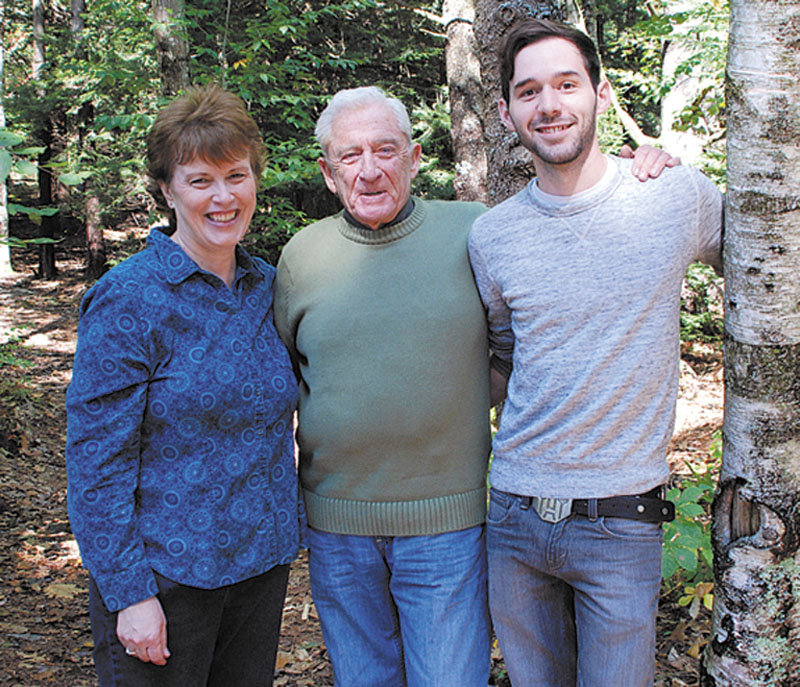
(380, 313)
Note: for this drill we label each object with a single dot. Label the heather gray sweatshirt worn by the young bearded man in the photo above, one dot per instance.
(583, 297)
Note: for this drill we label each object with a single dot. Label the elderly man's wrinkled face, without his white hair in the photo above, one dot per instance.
(370, 164)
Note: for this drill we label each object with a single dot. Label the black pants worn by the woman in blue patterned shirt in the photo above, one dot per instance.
(226, 637)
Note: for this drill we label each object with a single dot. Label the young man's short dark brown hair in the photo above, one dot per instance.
(534, 30)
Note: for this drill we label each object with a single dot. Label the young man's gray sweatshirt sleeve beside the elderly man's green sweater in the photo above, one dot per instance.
(498, 314)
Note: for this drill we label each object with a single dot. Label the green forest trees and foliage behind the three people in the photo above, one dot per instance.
(82, 83)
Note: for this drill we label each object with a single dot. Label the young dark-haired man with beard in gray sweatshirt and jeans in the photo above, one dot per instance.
(581, 274)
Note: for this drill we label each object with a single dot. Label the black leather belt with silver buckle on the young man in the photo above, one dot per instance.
(650, 507)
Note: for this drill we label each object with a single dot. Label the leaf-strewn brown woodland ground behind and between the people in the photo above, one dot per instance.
(44, 623)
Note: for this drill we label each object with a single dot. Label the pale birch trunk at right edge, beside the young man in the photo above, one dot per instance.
(756, 533)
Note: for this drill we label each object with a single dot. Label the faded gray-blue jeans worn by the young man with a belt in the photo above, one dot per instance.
(573, 602)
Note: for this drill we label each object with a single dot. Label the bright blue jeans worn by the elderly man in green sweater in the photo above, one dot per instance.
(403, 611)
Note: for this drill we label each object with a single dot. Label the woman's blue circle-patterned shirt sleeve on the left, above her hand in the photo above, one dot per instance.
(105, 408)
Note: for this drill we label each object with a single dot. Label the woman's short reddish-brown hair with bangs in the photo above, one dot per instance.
(206, 122)
